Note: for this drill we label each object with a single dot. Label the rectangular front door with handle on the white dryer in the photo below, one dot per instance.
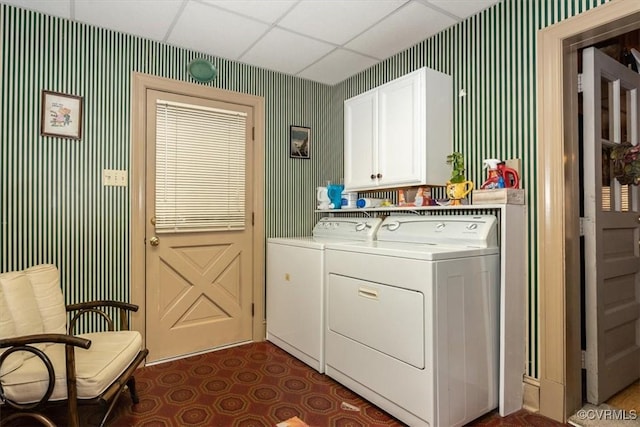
(385, 318)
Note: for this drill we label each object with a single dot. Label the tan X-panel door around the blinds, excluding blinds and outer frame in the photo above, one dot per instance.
(199, 284)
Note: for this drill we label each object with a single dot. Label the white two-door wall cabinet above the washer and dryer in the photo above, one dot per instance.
(400, 133)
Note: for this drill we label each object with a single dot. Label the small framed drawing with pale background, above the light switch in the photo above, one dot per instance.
(61, 115)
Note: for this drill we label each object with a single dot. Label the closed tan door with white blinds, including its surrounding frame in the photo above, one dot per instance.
(218, 279)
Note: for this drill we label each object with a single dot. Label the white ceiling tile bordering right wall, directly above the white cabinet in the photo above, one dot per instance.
(401, 30)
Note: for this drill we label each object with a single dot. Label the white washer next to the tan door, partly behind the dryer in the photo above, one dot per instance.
(295, 285)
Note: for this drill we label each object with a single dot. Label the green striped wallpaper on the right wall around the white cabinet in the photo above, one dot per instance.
(491, 57)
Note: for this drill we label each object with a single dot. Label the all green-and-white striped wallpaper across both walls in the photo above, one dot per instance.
(53, 207)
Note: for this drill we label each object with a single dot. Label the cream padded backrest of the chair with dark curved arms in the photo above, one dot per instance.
(31, 302)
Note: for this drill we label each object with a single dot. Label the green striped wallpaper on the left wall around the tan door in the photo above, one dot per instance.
(53, 205)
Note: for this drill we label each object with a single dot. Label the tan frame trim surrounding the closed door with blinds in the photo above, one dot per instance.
(140, 83)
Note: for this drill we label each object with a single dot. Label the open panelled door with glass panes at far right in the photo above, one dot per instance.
(612, 229)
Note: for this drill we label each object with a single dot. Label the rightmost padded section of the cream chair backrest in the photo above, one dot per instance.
(45, 281)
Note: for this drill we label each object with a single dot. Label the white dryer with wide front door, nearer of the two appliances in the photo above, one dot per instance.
(412, 318)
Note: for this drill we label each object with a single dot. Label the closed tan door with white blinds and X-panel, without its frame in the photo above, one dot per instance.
(199, 293)
